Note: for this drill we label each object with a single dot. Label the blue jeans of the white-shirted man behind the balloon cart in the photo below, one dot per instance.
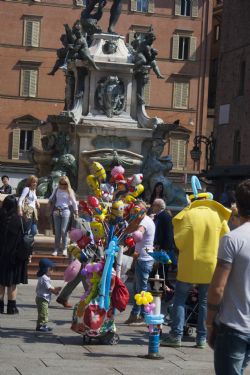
(142, 271)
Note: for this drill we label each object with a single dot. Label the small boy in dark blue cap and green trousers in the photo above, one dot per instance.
(44, 290)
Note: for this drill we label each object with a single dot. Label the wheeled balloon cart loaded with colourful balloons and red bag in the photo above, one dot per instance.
(97, 244)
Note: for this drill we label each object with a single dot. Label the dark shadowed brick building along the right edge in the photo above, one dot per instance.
(232, 114)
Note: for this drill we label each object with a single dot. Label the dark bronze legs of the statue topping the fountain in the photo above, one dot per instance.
(88, 14)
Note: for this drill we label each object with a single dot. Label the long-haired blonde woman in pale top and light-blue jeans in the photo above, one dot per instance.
(61, 201)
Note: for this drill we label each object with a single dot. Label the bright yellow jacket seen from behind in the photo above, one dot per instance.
(197, 232)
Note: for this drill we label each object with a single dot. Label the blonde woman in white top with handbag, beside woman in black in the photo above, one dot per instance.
(28, 205)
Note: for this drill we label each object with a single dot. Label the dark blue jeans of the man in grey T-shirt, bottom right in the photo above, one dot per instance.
(231, 351)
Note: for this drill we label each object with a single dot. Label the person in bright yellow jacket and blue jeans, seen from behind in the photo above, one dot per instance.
(197, 232)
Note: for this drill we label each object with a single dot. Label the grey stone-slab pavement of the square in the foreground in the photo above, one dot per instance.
(27, 352)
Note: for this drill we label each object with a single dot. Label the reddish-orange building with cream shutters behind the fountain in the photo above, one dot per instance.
(31, 33)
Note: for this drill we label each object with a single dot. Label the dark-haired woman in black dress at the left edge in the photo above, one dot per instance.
(12, 270)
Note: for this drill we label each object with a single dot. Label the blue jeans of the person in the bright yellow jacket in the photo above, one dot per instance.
(178, 312)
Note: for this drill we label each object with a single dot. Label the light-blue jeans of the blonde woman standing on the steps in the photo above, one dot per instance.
(61, 221)
